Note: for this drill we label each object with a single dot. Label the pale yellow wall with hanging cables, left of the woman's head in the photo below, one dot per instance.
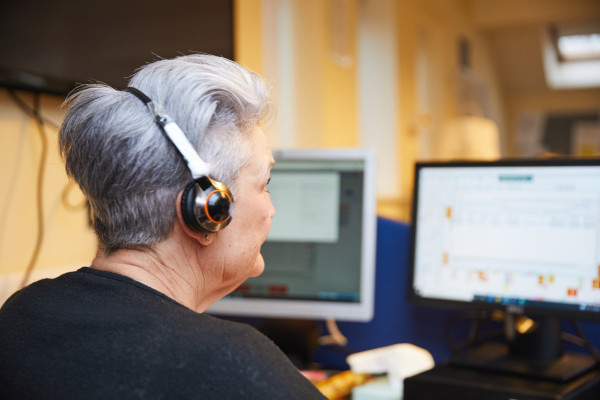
(67, 240)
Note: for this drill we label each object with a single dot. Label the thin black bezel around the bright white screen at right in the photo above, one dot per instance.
(520, 309)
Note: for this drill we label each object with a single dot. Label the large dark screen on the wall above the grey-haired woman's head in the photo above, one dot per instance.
(51, 46)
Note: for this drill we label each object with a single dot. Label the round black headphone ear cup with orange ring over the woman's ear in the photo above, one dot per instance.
(206, 205)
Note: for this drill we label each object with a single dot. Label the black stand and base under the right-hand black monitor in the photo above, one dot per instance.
(537, 353)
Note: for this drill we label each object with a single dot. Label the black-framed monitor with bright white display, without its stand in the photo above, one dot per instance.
(519, 235)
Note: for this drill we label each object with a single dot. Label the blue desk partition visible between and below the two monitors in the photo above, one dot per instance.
(395, 319)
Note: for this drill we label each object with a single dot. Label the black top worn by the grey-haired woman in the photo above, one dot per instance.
(98, 335)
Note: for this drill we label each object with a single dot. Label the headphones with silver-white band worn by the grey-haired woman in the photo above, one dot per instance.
(206, 205)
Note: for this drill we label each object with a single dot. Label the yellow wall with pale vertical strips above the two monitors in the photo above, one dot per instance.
(379, 97)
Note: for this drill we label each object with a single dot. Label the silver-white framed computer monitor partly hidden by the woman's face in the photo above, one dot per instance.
(320, 253)
